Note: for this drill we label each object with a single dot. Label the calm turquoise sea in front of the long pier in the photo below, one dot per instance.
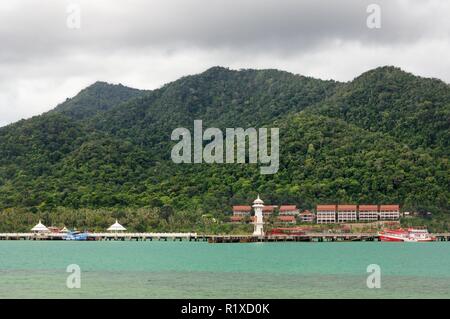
(37, 269)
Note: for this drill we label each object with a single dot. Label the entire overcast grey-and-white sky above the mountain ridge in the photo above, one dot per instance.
(45, 58)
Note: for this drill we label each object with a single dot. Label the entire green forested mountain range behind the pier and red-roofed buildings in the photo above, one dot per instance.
(380, 138)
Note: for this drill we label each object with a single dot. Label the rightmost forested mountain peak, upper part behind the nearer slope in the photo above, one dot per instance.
(414, 110)
